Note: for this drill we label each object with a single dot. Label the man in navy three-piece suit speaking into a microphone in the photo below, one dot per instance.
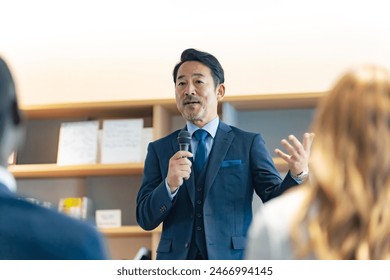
(206, 215)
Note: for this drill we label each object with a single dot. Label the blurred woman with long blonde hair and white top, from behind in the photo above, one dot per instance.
(343, 210)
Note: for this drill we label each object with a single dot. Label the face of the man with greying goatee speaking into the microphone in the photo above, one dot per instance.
(196, 95)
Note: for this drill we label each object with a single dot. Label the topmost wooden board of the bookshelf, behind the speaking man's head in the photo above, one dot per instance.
(139, 108)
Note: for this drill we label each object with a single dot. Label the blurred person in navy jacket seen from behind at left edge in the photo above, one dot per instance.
(29, 231)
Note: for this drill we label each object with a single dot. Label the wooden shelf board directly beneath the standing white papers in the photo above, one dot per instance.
(53, 170)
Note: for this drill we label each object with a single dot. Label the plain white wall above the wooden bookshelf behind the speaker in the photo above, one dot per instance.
(75, 50)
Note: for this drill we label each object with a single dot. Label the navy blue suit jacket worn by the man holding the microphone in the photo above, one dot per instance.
(239, 164)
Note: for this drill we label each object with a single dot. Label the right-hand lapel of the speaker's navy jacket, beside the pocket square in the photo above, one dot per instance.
(222, 142)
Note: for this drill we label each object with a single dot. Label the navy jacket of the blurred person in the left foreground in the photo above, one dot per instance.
(32, 232)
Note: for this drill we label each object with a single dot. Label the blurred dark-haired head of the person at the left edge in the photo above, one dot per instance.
(10, 118)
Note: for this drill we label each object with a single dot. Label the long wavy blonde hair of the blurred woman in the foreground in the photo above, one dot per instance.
(350, 169)
